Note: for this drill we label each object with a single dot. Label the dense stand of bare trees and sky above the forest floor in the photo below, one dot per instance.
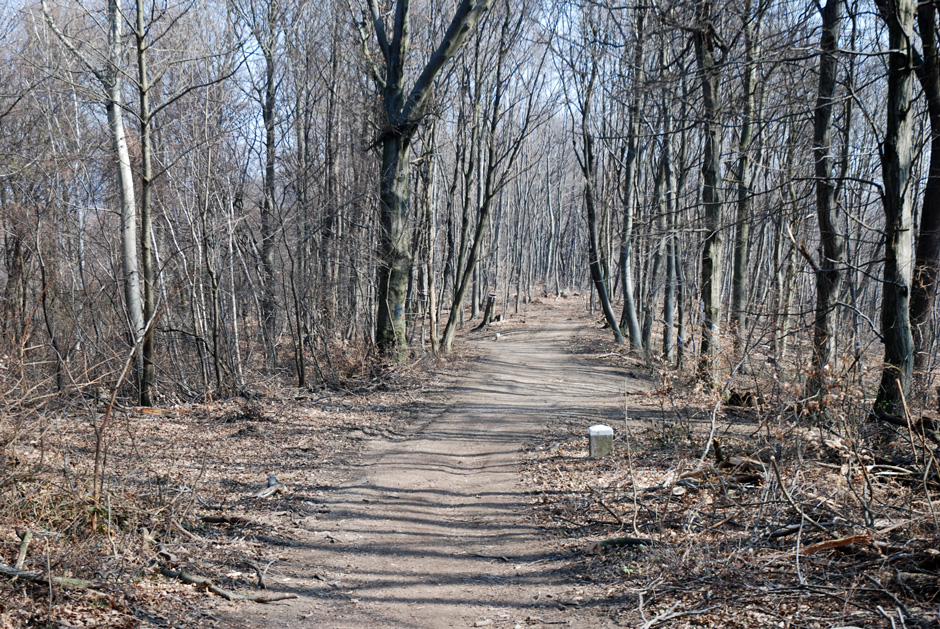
(198, 197)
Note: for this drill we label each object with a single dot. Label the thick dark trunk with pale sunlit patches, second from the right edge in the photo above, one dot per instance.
(896, 173)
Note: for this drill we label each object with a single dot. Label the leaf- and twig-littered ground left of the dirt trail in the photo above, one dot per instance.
(181, 489)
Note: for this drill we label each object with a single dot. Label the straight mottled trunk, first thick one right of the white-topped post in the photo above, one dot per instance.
(704, 38)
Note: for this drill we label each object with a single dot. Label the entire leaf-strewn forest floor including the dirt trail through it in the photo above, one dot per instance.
(461, 494)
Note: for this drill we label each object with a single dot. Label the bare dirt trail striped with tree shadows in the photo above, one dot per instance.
(435, 530)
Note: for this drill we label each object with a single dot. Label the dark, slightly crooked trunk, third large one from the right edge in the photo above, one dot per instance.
(832, 244)
